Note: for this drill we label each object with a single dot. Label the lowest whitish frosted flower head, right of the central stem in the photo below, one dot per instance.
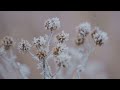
(63, 60)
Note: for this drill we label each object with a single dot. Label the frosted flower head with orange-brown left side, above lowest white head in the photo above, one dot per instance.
(60, 48)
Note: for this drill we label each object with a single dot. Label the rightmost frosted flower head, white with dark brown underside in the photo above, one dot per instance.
(99, 36)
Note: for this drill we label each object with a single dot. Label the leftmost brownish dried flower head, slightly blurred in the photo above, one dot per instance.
(7, 42)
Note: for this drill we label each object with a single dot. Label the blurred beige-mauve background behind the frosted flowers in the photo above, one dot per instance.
(27, 24)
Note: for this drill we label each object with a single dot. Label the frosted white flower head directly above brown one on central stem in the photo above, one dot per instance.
(40, 42)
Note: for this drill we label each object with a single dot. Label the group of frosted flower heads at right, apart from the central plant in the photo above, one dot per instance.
(84, 29)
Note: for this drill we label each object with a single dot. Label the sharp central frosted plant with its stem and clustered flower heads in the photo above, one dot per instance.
(42, 44)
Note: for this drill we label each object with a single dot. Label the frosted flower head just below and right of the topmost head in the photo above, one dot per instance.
(61, 37)
